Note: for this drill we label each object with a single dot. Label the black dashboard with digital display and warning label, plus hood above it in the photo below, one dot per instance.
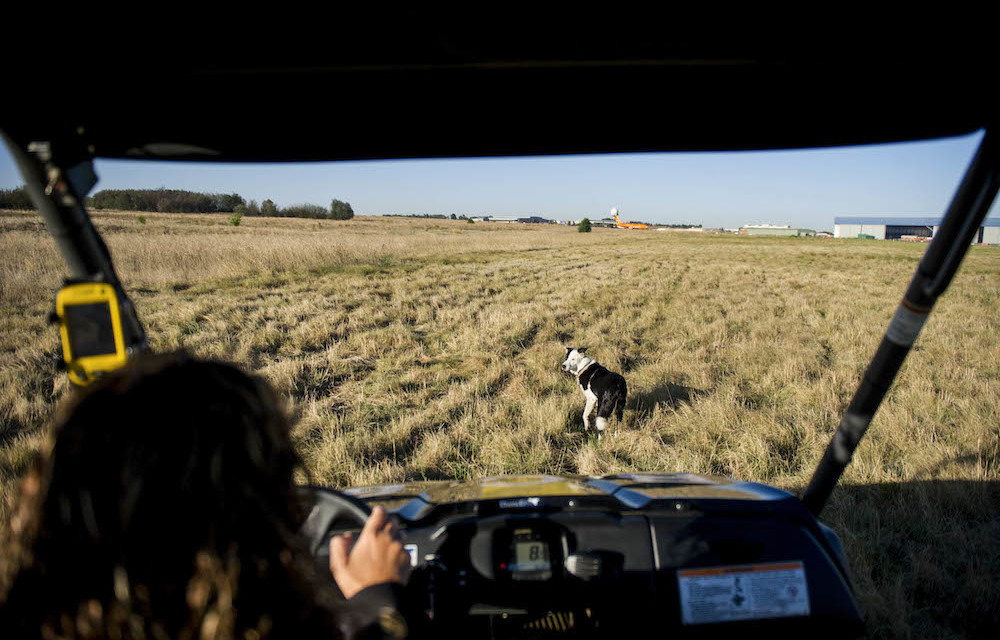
(623, 554)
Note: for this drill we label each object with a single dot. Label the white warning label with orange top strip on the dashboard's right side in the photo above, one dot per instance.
(745, 592)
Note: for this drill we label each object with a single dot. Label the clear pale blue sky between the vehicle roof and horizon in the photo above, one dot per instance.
(800, 188)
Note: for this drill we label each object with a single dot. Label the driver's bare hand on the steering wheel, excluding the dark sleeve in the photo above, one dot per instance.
(377, 556)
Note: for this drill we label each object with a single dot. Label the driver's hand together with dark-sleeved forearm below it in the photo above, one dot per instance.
(371, 576)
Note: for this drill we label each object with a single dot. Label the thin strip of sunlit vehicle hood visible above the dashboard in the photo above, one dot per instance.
(633, 490)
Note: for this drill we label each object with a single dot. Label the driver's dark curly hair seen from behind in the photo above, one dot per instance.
(163, 505)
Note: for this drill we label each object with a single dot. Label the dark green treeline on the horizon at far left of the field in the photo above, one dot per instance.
(181, 201)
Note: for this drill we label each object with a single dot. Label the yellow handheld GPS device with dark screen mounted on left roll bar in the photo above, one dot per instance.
(90, 327)
